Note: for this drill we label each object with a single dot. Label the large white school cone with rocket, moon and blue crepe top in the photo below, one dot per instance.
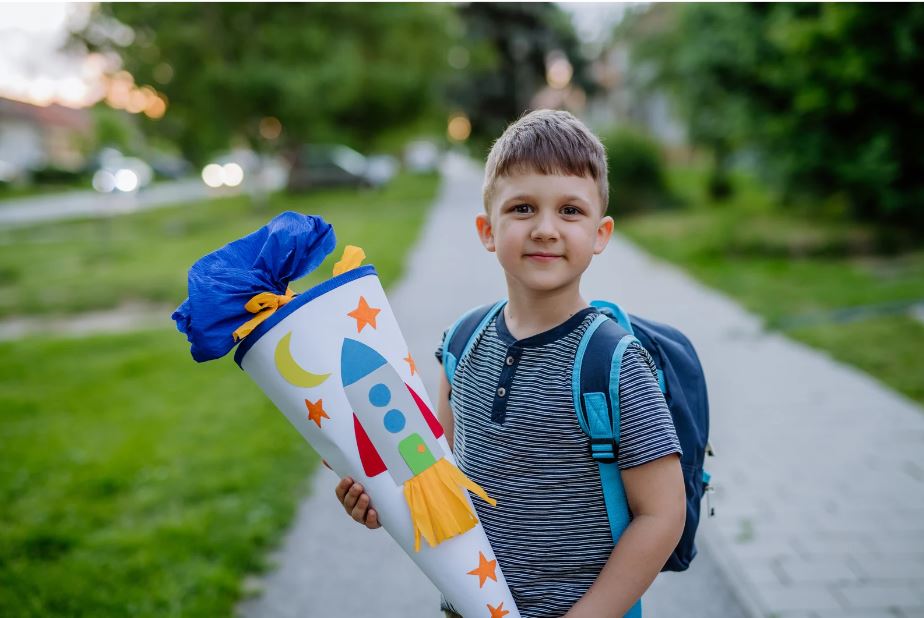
(334, 361)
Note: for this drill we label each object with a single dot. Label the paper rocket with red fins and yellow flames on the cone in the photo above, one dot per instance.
(396, 432)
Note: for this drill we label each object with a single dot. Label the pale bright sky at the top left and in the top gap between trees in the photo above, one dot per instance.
(33, 70)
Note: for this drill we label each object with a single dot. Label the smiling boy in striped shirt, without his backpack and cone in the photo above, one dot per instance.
(509, 416)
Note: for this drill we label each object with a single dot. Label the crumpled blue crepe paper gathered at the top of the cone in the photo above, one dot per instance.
(220, 283)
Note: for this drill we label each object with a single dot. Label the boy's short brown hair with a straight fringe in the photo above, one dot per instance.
(548, 142)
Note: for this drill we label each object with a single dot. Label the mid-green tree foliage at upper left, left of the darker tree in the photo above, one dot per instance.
(328, 72)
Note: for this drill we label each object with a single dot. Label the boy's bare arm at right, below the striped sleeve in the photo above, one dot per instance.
(657, 500)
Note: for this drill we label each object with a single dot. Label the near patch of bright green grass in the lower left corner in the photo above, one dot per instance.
(134, 483)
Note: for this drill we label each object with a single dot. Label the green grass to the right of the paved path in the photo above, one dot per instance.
(784, 265)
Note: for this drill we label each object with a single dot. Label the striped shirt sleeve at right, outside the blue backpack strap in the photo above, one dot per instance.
(646, 429)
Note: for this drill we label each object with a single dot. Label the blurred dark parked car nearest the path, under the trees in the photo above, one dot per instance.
(335, 165)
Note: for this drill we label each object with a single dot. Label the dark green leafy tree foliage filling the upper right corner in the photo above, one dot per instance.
(828, 95)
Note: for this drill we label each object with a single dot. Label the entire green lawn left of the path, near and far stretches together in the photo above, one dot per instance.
(132, 481)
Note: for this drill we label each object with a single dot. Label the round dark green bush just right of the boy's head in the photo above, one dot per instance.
(636, 172)
